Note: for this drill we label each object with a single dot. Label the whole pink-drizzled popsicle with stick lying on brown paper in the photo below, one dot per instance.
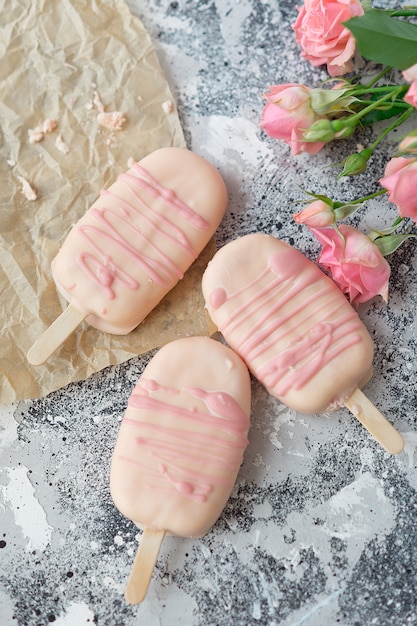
(134, 244)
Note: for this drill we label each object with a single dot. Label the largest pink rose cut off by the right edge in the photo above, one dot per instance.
(401, 182)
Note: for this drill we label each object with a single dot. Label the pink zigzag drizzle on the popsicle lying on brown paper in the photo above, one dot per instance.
(112, 226)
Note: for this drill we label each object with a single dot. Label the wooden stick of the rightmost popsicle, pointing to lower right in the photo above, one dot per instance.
(374, 422)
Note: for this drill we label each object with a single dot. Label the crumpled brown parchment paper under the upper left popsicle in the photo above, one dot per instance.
(67, 61)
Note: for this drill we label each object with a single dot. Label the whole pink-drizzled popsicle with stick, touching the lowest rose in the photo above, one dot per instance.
(295, 330)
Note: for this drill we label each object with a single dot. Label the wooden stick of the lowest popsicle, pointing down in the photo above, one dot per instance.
(143, 565)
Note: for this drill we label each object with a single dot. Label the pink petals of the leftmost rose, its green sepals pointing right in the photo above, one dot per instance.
(288, 114)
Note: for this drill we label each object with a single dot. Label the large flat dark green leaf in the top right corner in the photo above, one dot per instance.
(385, 39)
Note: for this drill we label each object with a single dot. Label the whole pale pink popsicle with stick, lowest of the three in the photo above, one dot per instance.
(180, 446)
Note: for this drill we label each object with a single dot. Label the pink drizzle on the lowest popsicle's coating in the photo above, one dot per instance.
(179, 450)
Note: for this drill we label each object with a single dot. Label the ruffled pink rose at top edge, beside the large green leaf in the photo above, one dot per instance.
(323, 38)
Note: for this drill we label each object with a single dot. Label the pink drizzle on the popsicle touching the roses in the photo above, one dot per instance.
(273, 315)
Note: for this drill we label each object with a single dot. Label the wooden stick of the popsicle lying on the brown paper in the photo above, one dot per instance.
(55, 335)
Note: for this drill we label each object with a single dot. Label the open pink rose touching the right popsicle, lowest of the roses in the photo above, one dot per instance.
(354, 263)
